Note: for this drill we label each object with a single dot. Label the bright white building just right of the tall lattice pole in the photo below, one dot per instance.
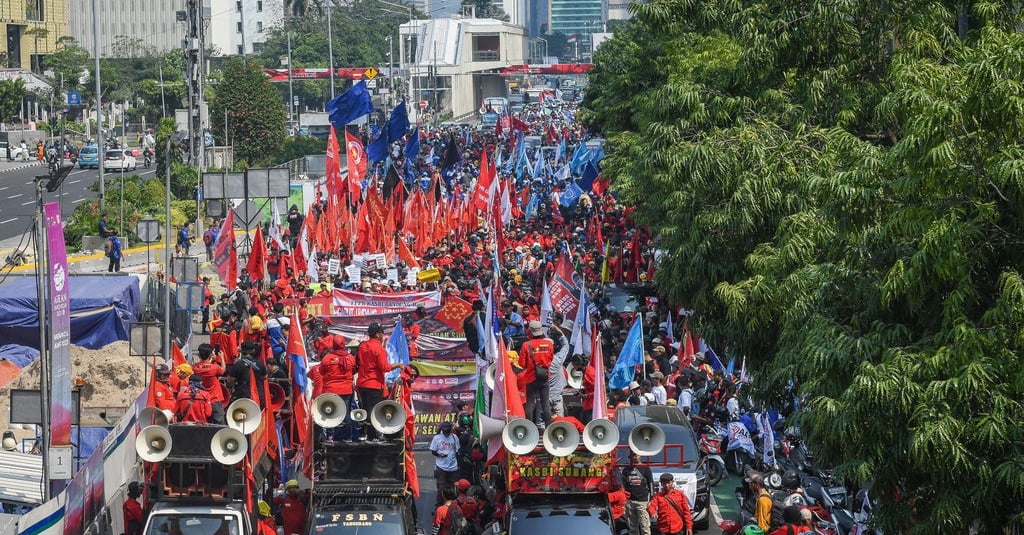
(241, 27)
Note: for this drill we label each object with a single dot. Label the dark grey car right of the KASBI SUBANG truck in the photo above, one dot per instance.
(680, 456)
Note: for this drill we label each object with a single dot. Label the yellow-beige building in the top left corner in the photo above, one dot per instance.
(31, 29)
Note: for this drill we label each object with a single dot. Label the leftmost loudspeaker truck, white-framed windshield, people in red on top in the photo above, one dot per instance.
(204, 479)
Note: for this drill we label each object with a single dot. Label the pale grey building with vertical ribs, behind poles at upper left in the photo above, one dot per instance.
(151, 23)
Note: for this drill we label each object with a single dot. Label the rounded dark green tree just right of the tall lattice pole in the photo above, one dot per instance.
(255, 113)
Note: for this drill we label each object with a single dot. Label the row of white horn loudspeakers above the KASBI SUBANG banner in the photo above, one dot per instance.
(562, 439)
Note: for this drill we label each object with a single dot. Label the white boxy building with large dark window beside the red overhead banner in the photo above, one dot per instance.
(453, 64)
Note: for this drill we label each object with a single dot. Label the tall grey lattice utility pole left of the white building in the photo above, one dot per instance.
(195, 79)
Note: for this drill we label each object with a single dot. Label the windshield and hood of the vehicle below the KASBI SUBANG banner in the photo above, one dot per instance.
(561, 515)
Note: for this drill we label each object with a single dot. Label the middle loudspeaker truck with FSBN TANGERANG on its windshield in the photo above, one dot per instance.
(360, 482)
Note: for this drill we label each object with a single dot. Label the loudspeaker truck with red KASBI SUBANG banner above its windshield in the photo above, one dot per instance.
(558, 482)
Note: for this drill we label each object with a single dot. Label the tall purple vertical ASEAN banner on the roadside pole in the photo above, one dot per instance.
(61, 409)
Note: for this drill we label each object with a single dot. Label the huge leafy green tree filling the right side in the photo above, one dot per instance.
(840, 189)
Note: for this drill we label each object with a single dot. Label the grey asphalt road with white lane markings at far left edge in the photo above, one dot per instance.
(18, 194)
